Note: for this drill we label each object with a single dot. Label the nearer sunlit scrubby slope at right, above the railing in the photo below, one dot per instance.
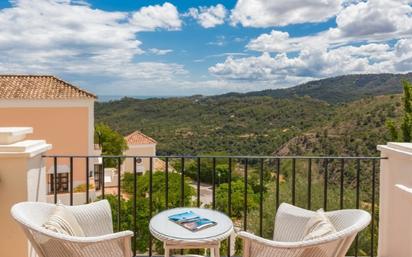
(355, 129)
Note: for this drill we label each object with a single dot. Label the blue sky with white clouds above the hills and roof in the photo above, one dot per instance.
(159, 48)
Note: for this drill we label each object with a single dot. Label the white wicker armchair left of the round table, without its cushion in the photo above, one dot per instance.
(95, 220)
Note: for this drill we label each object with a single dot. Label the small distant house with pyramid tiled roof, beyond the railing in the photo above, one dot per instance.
(141, 145)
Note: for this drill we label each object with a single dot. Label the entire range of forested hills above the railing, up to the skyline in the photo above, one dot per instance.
(336, 116)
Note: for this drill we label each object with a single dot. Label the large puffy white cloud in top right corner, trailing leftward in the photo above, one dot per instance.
(357, 22)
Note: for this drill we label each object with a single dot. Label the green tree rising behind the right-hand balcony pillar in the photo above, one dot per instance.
(403, 132)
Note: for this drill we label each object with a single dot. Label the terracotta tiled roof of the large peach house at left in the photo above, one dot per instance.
(39, 87)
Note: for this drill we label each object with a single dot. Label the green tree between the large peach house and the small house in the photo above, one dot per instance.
(112, 143)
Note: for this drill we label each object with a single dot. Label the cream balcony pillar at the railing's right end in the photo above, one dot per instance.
(395, 209)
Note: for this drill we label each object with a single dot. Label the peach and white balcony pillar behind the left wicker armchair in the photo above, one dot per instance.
(22, 178)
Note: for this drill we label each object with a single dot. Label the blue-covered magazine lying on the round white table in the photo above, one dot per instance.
(191, 221)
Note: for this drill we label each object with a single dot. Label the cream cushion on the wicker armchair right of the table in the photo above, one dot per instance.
(318, 226)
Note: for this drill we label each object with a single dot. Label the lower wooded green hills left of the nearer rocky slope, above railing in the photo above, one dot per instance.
(235, 125)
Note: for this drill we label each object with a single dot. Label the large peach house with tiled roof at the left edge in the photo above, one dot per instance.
(59, 112)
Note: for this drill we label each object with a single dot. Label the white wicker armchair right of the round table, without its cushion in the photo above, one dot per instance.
(288, 235)
